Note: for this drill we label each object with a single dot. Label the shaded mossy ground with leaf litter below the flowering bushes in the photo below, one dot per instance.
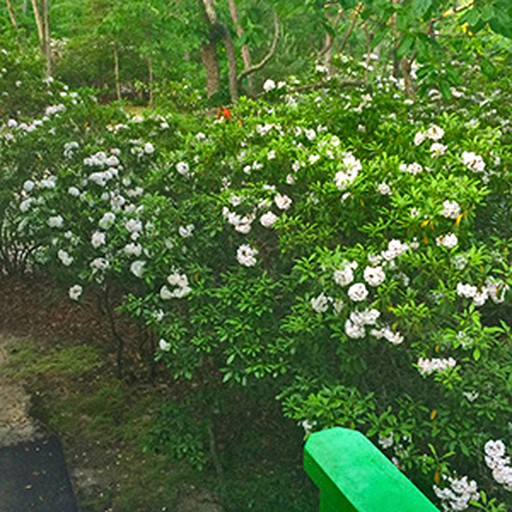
(61, 361)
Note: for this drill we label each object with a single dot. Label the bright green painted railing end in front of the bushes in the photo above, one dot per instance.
(355, 476)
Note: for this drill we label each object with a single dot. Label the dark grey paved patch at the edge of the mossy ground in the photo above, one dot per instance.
(34, 478)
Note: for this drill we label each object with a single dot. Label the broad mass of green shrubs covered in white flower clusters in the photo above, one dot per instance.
(350, 251)
